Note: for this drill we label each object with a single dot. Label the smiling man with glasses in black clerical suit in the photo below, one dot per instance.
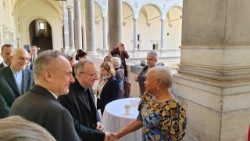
(80, 102)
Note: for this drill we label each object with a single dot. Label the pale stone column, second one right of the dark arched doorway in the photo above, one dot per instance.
(77, 22)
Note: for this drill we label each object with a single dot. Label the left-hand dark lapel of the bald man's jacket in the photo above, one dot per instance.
(11, 80)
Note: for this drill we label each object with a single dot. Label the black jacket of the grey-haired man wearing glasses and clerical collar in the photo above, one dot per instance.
(85, 118)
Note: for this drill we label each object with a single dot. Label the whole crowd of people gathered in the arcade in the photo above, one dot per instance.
(56, 91)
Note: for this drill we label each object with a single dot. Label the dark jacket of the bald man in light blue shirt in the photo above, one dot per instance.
(9, 90)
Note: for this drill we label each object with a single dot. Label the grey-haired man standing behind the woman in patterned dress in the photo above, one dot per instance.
(152, 58)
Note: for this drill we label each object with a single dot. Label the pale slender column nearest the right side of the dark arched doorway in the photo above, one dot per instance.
(65, 27)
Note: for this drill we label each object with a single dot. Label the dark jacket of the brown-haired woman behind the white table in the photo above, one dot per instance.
(110, 91)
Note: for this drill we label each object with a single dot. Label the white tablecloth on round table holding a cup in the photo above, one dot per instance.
(114, 117)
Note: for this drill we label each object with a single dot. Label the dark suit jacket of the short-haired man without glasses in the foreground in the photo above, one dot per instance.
(41, 107)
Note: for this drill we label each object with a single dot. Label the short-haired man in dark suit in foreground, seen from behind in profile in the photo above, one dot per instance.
(53, 75)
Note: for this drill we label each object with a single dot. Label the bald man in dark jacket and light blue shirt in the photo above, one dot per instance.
(15, 80)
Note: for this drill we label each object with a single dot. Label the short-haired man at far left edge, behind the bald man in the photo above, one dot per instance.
(6, 53)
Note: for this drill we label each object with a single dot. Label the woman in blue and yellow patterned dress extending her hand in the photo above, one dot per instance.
(161, 116)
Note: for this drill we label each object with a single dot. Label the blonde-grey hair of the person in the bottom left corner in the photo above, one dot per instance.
(15, 128)
